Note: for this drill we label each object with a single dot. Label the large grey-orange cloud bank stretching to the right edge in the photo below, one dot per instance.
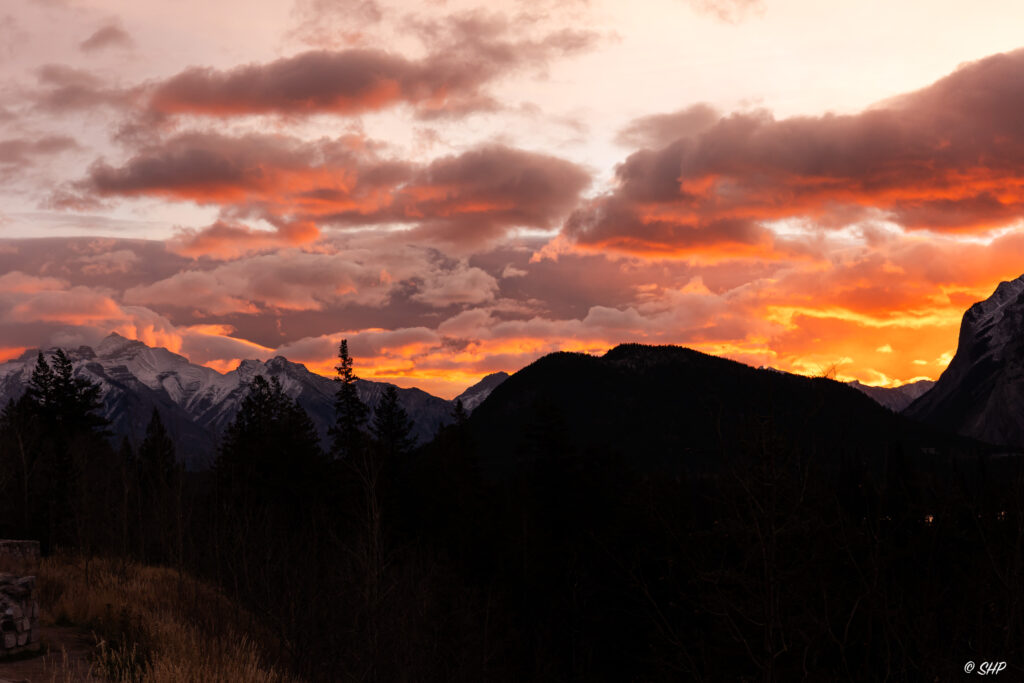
(948, 158)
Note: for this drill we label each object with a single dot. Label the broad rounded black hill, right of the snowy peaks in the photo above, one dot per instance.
(686, 406)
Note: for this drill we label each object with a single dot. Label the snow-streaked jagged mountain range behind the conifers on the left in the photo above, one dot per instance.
(198, 403)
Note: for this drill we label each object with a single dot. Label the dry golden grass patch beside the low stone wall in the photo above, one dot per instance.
(153, 624)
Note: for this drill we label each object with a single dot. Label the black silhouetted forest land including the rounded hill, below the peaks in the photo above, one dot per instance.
(654, 516)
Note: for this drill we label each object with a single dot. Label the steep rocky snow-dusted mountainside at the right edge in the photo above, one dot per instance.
(982, 394)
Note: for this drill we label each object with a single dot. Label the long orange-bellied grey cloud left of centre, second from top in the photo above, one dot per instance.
(297, 187)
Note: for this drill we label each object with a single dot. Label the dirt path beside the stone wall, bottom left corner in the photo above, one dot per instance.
(67, 660)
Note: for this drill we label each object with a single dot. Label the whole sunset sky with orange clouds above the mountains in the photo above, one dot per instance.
(460, 188)
